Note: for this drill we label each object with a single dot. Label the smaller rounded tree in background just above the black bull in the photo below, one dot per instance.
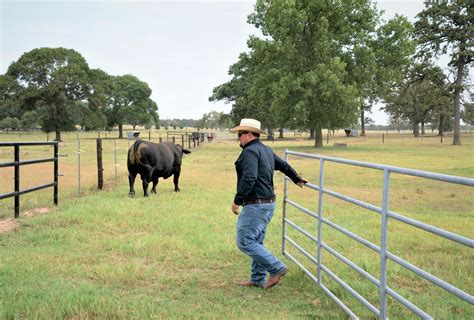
(128, 101)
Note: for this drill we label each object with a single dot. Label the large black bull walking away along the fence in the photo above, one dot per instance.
(153, 161)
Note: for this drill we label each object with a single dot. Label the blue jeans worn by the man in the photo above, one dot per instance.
(251, 228)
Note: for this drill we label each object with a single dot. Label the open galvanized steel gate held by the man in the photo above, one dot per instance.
(381, 249)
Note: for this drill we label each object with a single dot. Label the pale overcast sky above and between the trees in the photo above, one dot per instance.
(182, 49)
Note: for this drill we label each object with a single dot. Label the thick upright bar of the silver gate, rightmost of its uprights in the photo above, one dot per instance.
(383, 245)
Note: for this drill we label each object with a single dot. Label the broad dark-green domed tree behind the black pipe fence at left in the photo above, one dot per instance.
(51, 81)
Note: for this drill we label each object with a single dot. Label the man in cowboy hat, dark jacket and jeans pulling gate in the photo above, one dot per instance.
(255, 167)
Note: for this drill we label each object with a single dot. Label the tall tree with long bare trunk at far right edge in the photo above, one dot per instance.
(448, 26)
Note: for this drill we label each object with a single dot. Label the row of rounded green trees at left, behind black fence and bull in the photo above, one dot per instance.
(55, 89)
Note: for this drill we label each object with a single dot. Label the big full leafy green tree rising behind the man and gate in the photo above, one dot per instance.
(312, 38)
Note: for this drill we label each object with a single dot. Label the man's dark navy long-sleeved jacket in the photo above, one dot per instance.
(255, 167)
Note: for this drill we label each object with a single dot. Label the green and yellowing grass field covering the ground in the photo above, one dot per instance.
(173, 255)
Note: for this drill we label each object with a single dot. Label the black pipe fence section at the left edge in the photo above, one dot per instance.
(17, 163)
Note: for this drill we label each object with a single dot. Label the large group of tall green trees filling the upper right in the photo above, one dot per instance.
(324, 64)
